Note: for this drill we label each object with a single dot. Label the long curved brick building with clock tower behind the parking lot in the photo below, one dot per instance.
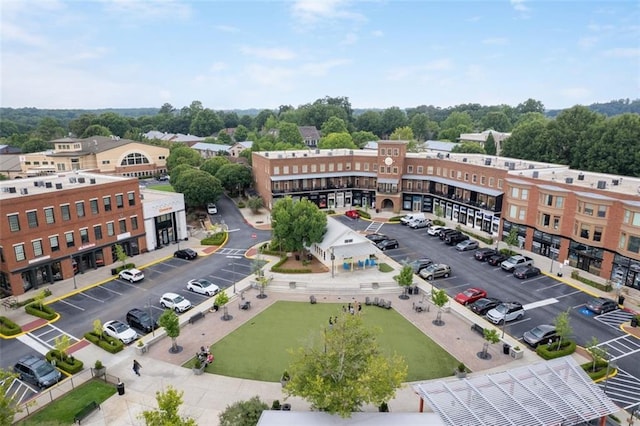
(591, 221)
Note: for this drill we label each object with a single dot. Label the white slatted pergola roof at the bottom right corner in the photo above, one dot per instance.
(556, 392)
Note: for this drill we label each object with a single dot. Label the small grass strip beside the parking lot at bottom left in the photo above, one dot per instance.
(63, 410)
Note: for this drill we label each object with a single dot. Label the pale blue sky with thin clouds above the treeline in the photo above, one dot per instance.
(263, 54)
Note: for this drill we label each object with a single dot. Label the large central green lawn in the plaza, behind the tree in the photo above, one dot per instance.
(259, 349)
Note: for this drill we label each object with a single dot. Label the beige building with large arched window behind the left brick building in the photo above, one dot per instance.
(110, 155)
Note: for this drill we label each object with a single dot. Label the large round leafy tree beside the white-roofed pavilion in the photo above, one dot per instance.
(297, 224)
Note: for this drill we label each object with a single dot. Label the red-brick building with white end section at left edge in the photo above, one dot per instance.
(52, 227)
